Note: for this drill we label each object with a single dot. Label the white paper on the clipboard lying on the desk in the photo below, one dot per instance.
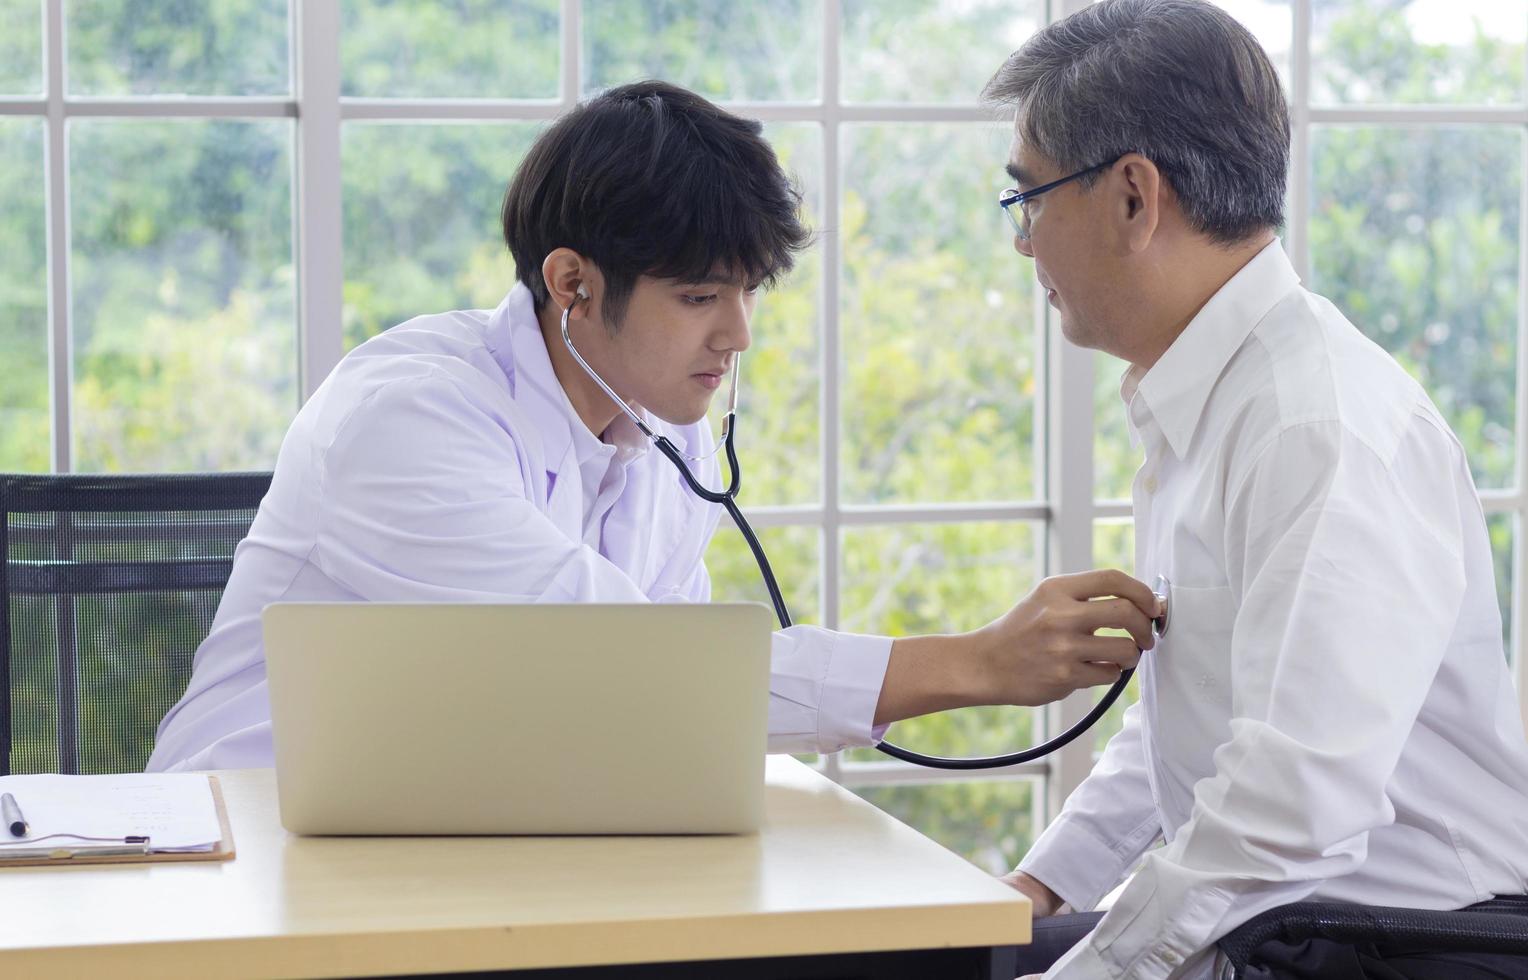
(175, 811)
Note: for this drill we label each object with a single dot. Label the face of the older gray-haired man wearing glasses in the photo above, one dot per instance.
(1069, 232)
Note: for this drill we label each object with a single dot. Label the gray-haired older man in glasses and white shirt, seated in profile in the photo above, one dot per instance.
(1330, 716)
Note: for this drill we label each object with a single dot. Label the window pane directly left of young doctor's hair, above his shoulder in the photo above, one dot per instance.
(422, 219)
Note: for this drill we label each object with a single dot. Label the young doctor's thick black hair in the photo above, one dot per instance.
(652, 180)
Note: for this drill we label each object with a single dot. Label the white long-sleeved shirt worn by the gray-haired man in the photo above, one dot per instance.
(1332, 716)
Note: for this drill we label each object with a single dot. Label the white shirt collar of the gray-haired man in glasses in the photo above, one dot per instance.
(1176, 391)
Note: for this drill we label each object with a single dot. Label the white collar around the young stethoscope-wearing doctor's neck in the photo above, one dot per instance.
(520, 349)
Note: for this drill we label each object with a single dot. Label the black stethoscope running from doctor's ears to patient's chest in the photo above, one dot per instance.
(730, 501)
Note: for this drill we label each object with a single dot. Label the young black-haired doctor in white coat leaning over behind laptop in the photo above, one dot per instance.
(467, 458)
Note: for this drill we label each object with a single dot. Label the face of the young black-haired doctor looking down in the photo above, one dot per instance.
(675, 349)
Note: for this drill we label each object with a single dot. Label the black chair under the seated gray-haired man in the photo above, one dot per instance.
(1500, 926)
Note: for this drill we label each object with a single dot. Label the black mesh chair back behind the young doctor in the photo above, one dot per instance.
(108, 586)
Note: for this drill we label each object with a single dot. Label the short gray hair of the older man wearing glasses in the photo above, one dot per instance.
(1179, 82)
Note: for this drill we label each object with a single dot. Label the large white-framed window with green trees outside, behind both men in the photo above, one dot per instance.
(247, 190)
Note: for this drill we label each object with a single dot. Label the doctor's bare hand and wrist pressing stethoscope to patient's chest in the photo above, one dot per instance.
(1041, 651)
